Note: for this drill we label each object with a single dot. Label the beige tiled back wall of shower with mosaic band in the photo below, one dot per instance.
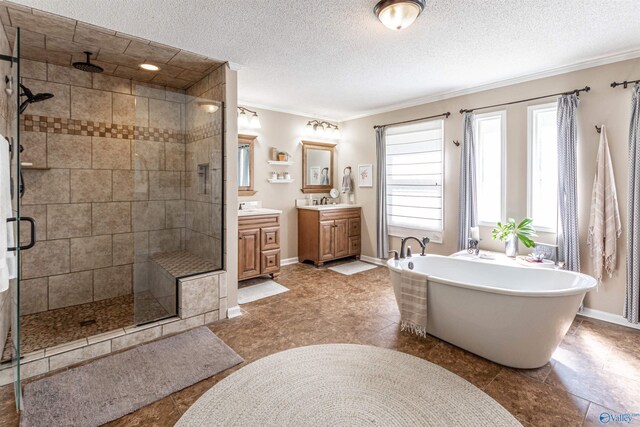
(110, 160)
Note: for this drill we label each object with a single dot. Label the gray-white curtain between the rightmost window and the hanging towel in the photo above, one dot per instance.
(567, 182)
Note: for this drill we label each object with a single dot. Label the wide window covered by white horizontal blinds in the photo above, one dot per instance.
(414, 179)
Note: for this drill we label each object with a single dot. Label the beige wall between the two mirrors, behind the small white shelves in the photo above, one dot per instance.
(283, 131)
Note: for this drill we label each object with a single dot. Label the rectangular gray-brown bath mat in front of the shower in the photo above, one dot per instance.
(109, 388)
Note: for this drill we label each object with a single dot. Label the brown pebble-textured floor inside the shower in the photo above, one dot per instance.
(60, 326)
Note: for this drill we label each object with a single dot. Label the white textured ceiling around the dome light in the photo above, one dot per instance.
(332, 58)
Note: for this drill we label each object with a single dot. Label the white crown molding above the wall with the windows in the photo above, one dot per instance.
(603, 60)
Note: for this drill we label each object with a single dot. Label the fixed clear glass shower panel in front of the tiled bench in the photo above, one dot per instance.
(177, 214)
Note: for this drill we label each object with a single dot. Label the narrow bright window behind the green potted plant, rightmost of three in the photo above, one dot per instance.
(542, 203)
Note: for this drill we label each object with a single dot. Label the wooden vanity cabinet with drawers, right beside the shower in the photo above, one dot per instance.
(258, 246)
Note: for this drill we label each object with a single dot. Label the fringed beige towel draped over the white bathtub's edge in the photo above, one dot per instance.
(413, 302)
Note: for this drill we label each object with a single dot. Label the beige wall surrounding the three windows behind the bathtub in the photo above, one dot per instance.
(602, 105)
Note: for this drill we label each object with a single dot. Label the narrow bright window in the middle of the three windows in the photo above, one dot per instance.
(490, 137)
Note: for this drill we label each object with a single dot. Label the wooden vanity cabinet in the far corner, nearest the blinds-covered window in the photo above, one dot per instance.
(328, 234)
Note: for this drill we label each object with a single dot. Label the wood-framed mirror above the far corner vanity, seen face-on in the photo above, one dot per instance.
(317, 167)
